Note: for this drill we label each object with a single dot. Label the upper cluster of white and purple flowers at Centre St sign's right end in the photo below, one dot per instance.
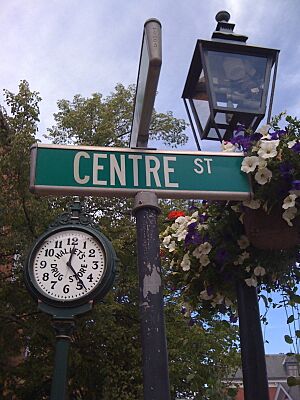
(273, 162)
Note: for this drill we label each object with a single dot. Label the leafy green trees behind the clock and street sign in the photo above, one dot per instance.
(105, 359)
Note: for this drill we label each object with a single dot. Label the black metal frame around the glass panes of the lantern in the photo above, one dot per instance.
(248, 117)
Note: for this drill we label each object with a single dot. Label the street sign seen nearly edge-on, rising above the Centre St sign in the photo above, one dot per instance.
(147, 81)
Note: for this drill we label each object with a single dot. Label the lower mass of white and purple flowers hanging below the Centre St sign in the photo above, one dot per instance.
(206, 252)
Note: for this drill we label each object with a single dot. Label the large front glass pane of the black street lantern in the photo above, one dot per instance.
(236, 80)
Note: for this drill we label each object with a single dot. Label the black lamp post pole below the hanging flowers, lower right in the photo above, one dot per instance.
(252, 346)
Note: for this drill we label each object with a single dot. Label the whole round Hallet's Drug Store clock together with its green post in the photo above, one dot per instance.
(71, 266)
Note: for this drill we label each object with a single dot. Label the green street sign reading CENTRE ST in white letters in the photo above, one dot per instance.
(108, 171)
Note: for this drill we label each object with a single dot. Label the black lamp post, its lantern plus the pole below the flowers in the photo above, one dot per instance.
(227, 85)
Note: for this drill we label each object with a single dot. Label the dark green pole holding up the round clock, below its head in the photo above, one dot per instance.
(64, 330)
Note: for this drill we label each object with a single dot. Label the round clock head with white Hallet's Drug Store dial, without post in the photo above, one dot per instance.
(70, 264)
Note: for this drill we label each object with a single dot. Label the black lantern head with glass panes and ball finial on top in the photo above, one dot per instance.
(228, 83)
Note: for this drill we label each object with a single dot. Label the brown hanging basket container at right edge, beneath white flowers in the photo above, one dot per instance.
(269, 231)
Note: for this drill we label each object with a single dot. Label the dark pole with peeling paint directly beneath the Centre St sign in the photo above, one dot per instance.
(154, 345)
